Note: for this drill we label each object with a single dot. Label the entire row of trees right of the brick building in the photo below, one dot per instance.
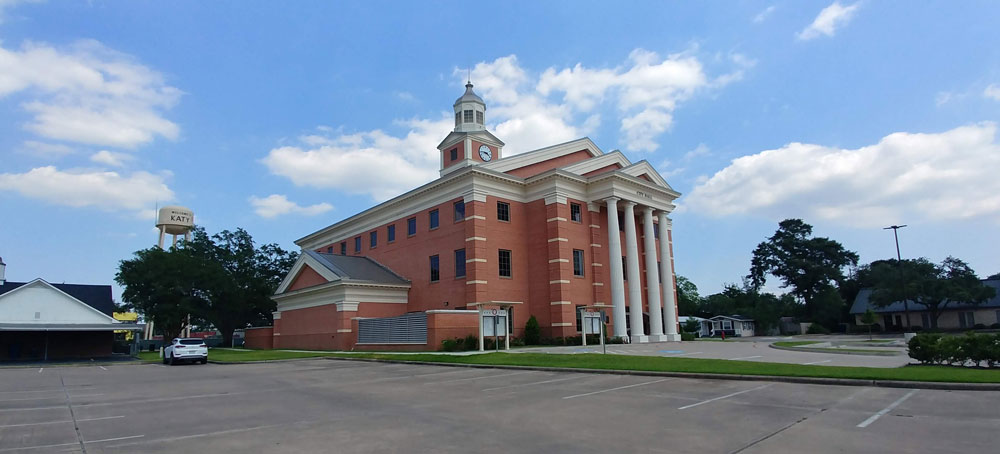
(823, 278)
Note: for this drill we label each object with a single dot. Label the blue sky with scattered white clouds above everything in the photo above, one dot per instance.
(282, 117)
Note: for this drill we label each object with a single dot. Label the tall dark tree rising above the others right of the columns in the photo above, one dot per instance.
(809, 266)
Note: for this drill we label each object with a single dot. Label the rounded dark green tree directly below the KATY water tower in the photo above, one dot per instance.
(163, 285)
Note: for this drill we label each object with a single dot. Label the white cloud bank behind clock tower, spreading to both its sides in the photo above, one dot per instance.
(526, 111)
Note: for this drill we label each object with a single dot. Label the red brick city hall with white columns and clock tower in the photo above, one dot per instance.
(546, 232)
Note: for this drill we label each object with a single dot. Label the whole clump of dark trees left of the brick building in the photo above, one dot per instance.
(224, 281)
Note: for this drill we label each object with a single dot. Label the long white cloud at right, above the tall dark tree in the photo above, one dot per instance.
(905, 177)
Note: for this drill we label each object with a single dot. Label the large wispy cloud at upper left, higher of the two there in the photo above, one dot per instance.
(88, 94)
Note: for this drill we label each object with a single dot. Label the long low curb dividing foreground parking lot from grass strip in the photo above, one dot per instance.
(710, 376)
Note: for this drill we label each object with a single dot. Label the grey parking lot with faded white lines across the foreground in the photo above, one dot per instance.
(350, 406)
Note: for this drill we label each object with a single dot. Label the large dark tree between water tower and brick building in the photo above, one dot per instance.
(240, 278)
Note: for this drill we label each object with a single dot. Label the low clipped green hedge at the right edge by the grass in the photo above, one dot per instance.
(968, 350)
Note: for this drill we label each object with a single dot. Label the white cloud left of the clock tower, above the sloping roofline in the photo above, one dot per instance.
(372, 162)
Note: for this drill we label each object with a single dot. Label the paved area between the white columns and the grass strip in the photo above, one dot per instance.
(742, 350)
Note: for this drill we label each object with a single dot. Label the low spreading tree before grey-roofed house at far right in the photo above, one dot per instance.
(932, 285)
